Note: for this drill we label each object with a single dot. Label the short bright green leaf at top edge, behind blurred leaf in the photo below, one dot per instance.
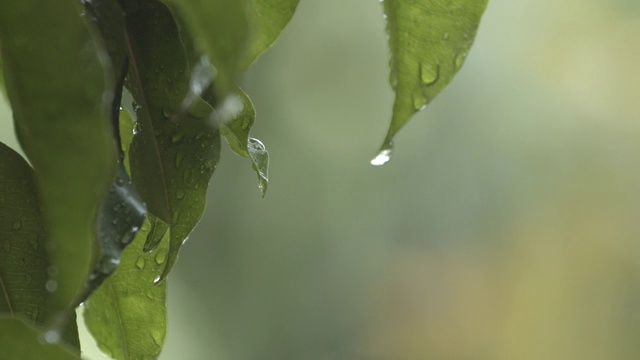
(268, 18)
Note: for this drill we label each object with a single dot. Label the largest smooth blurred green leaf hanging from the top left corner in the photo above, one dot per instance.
(61, 112)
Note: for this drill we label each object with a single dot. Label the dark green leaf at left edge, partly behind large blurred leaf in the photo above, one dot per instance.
(23, 253)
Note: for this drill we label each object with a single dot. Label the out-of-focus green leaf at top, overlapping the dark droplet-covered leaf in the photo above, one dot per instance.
(221, 29)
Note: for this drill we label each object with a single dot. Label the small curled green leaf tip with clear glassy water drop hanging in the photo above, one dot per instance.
(236, 132)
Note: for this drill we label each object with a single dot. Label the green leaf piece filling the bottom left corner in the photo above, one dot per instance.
(18, 340)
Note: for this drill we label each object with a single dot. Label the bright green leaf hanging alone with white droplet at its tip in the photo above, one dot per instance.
(429, 40)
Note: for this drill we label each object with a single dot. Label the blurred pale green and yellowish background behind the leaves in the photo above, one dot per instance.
(505, 227)
